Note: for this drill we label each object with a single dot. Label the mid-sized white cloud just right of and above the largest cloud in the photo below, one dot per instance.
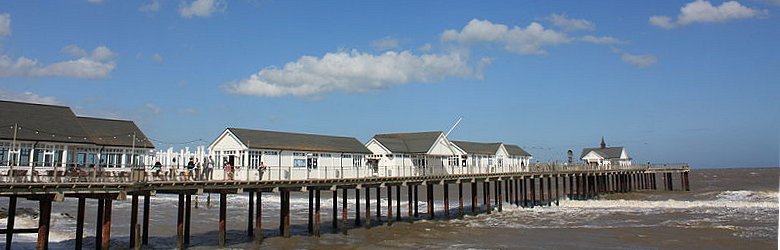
(529, 41)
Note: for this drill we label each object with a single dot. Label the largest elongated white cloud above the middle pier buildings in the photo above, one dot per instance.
(351, 72)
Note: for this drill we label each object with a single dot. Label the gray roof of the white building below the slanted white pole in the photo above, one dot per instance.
(410, 143)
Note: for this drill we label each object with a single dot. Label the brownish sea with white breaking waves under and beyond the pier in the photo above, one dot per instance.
(735, 208)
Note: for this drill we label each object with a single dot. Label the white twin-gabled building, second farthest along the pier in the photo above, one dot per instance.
(493, 157)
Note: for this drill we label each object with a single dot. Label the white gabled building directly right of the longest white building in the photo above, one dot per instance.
(413, 153)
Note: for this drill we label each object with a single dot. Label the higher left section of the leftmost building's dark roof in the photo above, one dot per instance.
(40, 122)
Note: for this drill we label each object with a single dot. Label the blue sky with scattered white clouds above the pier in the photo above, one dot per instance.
(673, 81)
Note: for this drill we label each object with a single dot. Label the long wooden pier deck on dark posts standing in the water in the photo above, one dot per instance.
(498, 190)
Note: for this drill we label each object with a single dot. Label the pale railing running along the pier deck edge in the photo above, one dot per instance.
(50, 174)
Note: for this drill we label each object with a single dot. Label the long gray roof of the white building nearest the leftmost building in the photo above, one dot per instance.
(260, 139)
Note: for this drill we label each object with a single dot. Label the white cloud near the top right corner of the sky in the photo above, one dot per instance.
(701, 11)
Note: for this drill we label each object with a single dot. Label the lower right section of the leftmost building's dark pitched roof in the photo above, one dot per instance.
(108, 132)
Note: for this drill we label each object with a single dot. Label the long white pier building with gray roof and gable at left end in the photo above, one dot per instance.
(287, 155)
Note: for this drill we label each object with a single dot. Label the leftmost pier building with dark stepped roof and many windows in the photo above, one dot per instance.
(50, 136)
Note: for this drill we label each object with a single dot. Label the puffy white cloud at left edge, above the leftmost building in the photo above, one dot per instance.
(97, 64)
